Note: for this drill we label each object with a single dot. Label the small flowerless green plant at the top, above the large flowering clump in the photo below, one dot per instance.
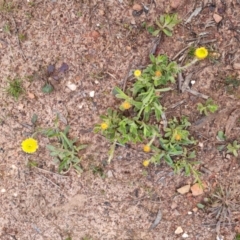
(165, 23)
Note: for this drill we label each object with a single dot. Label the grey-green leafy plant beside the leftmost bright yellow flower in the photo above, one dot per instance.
(66, 152)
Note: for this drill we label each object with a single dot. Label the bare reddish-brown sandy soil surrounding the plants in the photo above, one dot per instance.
(102, 42)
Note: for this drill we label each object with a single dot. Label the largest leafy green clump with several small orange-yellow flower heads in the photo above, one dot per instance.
(141, 109)
